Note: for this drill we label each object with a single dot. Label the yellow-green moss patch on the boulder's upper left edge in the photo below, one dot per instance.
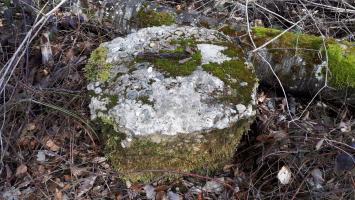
(97, 69)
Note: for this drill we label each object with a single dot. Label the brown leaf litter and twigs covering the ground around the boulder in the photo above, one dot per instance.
(49, 150)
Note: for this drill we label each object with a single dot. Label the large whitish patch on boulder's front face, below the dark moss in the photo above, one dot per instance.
(177, 105)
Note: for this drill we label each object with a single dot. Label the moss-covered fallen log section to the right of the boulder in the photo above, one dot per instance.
(305, 63)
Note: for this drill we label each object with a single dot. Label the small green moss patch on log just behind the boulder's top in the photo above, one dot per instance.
(148, 17)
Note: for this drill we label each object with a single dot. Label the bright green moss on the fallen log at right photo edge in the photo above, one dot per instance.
(342, 65)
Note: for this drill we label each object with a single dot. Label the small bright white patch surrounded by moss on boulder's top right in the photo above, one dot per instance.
(212, 53)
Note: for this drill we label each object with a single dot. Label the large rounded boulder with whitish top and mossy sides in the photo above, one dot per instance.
(171, 99)
